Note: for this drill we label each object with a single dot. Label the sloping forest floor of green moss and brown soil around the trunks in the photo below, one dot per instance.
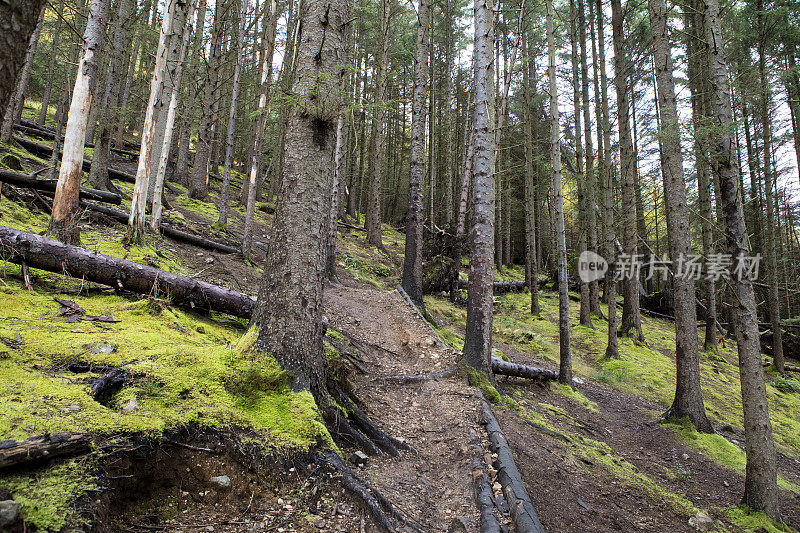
(603, 464)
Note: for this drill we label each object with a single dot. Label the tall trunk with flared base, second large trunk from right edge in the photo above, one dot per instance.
(688, 395)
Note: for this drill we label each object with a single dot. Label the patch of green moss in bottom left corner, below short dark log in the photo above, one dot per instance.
(46, 497)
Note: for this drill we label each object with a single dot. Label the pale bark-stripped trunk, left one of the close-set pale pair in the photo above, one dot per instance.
(139, 201)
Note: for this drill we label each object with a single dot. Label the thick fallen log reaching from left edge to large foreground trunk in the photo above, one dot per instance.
(55, 256)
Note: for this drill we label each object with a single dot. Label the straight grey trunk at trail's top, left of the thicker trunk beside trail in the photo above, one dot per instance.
(373, 218)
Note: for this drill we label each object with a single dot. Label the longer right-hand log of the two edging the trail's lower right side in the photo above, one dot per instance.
(522, 510)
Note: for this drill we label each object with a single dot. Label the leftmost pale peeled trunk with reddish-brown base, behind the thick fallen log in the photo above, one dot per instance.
(64, 220)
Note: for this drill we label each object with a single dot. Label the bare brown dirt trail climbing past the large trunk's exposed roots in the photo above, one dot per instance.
(436, 417)
